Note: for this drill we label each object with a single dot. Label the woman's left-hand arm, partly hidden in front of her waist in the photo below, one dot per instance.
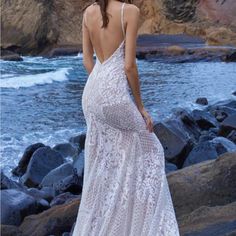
(87, 46)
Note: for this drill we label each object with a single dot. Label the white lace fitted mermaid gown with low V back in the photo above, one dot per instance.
(125, 189)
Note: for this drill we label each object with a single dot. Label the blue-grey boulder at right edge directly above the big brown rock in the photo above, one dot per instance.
(209, 150)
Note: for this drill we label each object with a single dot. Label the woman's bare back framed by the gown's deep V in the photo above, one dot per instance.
(105, 40)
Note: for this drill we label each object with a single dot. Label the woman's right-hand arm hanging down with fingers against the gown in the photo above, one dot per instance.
(132, 18)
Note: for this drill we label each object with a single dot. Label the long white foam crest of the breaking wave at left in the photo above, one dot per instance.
(32, 80)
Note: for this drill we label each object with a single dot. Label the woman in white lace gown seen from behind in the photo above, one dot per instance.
(125, 190)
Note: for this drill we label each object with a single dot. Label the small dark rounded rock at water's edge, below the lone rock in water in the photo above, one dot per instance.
(204, 119)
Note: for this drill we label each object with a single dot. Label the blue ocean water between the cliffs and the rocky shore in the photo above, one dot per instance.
(41, 98)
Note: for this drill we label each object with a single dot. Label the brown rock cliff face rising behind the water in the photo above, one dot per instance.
(34, 26)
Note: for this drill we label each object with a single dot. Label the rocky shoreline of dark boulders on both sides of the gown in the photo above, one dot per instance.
(200, 152)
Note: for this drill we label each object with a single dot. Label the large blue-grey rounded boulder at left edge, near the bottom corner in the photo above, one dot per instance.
(15, 205)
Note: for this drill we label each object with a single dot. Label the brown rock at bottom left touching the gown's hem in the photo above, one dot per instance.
(53, 221)
